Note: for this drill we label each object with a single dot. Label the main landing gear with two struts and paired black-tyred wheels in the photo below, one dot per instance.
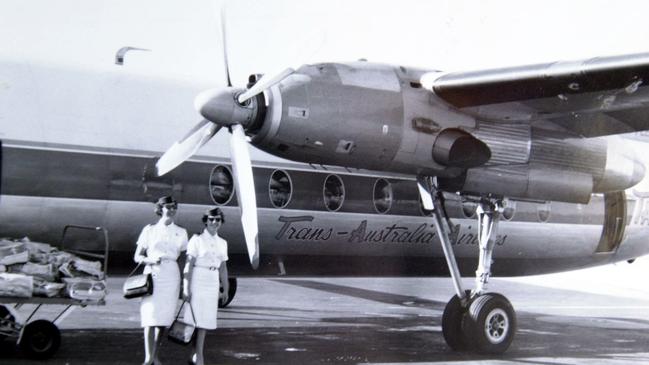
(472, 320)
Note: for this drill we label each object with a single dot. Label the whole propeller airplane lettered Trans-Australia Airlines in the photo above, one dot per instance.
(400, 171)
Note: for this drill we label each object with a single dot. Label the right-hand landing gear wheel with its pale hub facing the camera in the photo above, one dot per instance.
(490, 324)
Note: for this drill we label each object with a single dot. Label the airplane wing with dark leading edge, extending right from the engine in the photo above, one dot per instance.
(594, 97)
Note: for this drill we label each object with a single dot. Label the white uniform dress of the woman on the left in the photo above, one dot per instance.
(164, 242)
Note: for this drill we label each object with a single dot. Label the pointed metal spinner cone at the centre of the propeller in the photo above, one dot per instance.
(220, 106)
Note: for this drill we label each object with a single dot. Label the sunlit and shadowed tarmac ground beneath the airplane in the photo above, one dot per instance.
(595, 316)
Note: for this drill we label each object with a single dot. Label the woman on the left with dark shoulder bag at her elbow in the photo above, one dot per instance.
(158, 247)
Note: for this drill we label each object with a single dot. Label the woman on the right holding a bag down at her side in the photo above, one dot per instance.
(205, 267)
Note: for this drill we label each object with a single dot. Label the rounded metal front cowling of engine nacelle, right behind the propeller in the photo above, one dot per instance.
(367, 116)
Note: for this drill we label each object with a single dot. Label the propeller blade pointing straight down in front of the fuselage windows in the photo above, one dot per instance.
(245, 187)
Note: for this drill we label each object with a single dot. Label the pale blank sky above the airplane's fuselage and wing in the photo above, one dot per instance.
(264, 35)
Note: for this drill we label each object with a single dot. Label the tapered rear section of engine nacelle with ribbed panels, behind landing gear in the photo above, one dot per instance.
(569, 171)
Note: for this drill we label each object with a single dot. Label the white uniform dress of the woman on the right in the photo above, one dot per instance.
(209, 252)
